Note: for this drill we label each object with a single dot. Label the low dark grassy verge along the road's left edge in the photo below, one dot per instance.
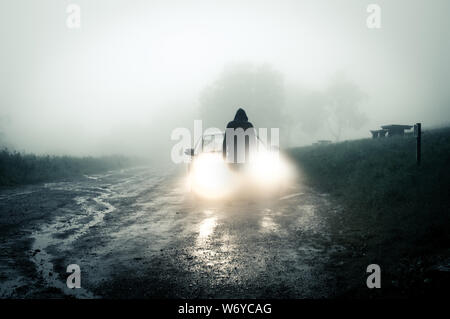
(18, 168)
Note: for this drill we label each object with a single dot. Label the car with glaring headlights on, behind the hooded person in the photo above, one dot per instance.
(210, 176)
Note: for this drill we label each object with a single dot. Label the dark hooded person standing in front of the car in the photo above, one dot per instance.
(238, 132)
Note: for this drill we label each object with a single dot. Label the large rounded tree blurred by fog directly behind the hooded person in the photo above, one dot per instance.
(258, 89)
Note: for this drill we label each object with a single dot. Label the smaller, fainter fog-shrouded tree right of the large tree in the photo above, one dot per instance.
(342, 109)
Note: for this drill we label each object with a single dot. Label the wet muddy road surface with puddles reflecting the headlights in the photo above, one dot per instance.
(138, 234)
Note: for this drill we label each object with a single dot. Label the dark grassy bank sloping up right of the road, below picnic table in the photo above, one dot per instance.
(393, 212)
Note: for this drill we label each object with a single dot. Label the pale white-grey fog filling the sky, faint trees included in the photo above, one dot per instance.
(136, 70)
